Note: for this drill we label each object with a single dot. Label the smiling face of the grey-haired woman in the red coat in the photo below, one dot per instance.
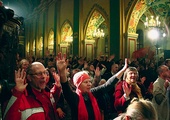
(132, 77)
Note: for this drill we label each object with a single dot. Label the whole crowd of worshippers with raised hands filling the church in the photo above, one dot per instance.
(75, 88)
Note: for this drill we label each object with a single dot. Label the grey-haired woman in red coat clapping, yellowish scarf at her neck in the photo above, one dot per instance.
(127, 89)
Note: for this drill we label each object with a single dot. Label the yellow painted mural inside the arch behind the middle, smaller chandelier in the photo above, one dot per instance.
(95, 21)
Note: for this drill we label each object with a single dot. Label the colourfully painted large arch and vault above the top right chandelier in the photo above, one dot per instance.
(147, 8)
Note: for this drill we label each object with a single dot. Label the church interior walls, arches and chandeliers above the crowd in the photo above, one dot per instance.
(90, 28)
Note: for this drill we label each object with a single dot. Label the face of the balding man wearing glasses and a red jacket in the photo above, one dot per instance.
(38, 78)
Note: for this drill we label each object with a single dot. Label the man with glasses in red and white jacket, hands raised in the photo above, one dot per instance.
(30, 100)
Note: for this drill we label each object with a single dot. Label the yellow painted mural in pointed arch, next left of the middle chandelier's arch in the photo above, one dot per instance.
(66, 32)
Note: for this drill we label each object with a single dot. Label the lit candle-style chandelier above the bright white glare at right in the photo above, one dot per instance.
(152, 22)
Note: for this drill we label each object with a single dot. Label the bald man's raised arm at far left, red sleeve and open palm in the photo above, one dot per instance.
(12, 107)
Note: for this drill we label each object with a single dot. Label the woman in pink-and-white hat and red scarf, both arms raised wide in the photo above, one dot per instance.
(83, 102)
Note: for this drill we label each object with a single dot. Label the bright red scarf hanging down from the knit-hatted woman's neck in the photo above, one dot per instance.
(82, 111)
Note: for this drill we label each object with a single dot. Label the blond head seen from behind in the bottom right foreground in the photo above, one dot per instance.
(140, 110)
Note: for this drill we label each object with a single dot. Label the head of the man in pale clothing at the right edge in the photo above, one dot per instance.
(163, 71)
